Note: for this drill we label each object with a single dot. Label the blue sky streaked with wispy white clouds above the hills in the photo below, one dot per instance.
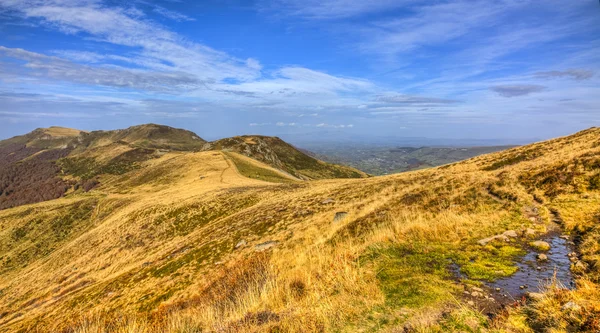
(303, 69)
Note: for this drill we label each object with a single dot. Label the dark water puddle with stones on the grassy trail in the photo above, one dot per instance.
(533, 278)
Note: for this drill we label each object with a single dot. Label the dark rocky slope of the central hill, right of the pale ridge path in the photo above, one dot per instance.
(281, 155)
